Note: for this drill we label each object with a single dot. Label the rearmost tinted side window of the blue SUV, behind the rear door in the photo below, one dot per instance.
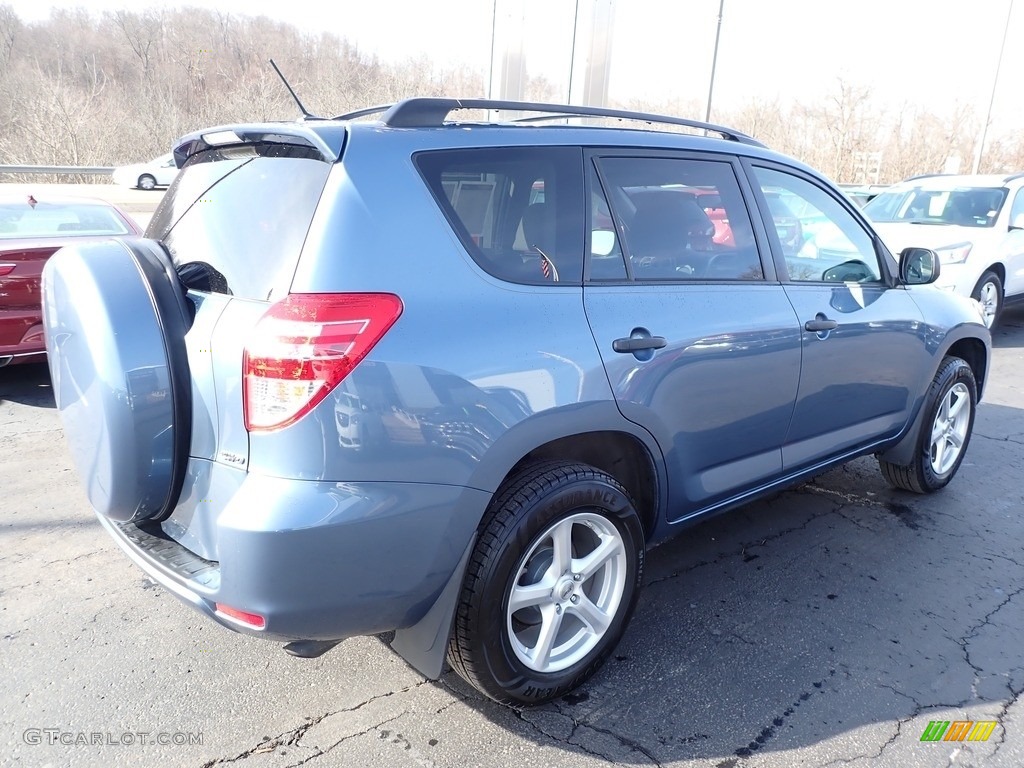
(519, 211)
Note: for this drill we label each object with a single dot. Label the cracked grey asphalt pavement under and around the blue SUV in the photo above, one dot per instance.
(826, 626)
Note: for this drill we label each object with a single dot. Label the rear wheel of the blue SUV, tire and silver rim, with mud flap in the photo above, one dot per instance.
(572, 501)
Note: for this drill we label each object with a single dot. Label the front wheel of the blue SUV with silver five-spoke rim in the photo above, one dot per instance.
(923, 477)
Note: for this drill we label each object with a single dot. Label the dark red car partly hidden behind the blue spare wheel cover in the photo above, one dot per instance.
(31, 231)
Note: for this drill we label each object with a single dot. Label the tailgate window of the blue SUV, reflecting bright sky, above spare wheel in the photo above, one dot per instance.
(235, 221)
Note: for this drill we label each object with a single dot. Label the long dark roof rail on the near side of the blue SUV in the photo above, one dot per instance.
(433, 112)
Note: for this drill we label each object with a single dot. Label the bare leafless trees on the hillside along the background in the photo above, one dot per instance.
(87, 90)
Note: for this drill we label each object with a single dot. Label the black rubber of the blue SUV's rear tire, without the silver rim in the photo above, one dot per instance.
(577, 495)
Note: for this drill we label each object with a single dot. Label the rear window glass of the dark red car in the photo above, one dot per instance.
(50, 220)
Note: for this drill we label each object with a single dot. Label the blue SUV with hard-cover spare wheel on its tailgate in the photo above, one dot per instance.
(375, 390)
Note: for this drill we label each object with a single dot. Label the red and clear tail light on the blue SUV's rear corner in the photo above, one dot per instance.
(304, 348)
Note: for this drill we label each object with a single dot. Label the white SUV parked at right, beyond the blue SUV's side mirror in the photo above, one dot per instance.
(975, 224)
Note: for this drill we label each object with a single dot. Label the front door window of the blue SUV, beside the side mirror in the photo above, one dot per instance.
(821, 240)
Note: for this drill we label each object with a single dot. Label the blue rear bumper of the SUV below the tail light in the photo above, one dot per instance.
(317, 561)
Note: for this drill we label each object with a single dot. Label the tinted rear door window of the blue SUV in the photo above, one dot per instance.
(679, 220)
